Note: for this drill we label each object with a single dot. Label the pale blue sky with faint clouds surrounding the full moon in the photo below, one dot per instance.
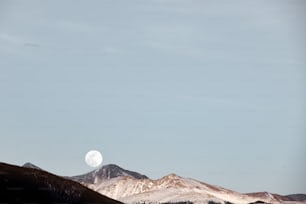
(213, 90)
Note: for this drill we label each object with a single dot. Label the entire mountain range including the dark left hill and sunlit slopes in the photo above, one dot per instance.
(111, 182)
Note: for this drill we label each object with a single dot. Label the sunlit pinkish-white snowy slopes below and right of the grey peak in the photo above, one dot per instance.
(171, 188)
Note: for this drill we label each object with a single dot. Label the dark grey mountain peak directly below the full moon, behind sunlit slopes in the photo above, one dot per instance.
(105, 173)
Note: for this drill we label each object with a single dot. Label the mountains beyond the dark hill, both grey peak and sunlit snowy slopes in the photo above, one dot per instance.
(132, 187)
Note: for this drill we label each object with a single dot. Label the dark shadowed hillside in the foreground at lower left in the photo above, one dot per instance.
(30, 185)
